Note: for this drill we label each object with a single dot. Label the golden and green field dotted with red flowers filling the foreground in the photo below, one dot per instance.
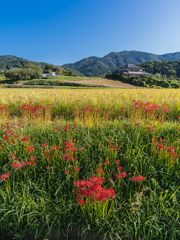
(90, 164)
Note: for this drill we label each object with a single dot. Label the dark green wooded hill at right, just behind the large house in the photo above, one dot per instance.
(168, 68)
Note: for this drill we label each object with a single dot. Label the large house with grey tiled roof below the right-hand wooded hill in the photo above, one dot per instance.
(132, 70)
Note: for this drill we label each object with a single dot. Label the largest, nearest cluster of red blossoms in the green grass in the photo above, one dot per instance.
(92, 189)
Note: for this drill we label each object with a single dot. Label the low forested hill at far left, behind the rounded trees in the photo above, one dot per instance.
(7, 62)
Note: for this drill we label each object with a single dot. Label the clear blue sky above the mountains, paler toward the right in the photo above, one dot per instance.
(65, 31)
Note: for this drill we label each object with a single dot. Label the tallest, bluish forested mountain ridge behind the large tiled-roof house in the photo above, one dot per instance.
(96, 66)
